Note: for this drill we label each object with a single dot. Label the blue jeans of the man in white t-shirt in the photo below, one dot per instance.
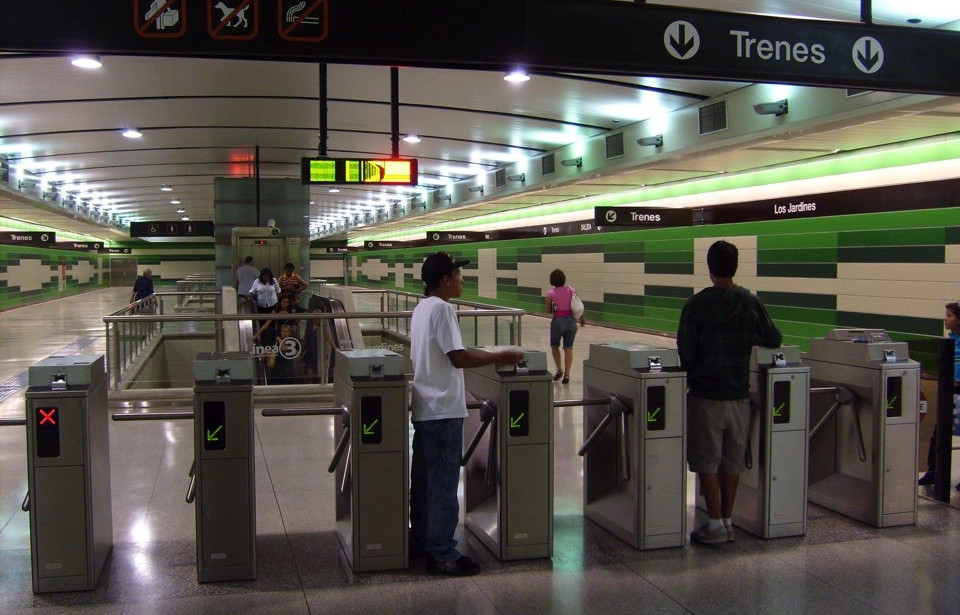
(434, 479)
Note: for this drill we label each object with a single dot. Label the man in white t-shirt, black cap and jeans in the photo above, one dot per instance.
(439, 407)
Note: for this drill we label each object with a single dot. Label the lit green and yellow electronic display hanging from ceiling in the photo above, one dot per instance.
(385, 171)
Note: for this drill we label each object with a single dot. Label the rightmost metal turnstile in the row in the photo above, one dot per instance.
(863, 447)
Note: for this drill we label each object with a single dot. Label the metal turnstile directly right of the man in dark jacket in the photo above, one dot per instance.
(772, 494)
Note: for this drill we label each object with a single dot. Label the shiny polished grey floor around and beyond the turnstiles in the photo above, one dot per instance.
(840, 566)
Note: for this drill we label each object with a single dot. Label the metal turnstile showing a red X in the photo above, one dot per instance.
(68, 472)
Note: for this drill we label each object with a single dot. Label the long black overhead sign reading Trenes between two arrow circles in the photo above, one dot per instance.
(611, 37)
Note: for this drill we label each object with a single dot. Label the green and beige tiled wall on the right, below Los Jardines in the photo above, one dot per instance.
(805, 271)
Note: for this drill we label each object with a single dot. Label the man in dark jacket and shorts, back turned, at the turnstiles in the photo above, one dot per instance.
(718, 328)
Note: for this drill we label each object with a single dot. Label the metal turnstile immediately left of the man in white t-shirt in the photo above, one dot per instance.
(372, 459)
